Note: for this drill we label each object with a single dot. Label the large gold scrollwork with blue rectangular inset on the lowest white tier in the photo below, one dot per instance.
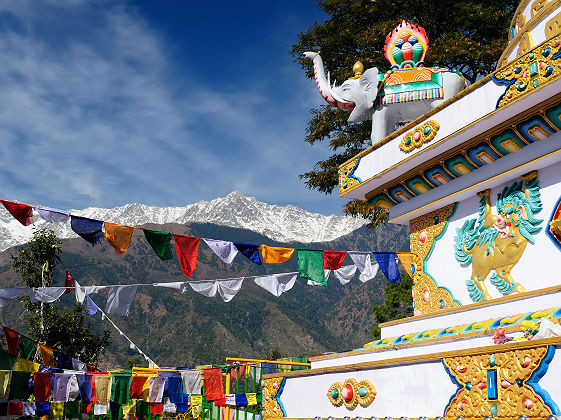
(496, 384)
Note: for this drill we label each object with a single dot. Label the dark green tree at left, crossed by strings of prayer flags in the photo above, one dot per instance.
(64, 329)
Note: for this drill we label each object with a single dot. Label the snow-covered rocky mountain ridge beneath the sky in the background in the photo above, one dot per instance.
(280, 223)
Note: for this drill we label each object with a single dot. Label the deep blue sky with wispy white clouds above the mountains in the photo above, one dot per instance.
(156, 102)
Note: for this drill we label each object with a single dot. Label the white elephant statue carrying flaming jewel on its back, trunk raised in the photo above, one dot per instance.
(397, 97)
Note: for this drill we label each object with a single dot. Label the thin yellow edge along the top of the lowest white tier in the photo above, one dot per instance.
(513, 345)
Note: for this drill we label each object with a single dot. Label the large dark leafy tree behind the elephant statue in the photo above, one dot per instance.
(467, 36)
